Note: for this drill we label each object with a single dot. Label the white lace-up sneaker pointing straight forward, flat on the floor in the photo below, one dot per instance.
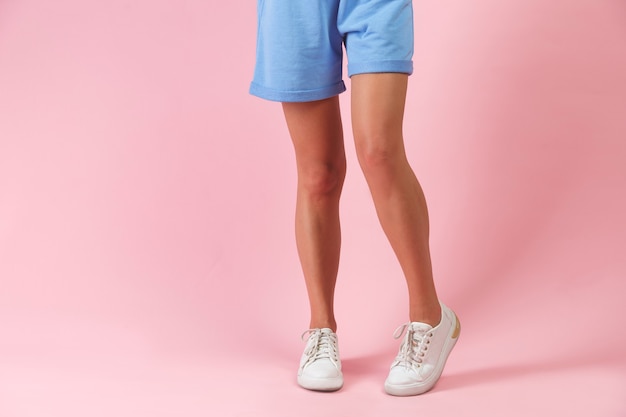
(320, 367)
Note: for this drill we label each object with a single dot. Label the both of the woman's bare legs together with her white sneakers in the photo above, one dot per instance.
(316, 131)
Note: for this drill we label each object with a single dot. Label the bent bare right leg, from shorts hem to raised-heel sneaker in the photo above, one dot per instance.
(377, 114)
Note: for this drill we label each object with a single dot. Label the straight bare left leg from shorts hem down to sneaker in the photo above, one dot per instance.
(317, 136)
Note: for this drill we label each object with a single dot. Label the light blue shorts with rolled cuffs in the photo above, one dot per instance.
(299, 45)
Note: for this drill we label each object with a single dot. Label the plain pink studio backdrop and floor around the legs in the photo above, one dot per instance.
(147, 259)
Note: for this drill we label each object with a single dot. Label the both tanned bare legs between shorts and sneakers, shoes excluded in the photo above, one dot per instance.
(316, 131)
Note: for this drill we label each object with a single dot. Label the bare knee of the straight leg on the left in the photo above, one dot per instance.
(323, 180)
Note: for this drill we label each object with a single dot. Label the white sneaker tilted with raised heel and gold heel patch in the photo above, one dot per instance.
(422, 355)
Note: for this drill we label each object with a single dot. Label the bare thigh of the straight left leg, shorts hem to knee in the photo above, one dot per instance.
(316, 132)
